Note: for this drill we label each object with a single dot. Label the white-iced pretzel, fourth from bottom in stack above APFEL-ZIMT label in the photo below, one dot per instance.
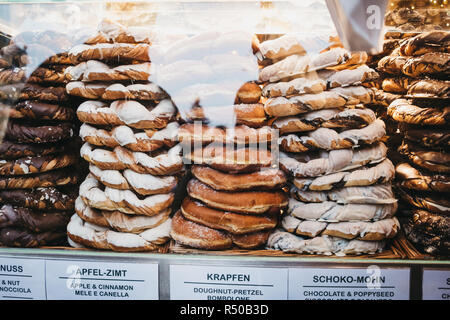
(143, 184)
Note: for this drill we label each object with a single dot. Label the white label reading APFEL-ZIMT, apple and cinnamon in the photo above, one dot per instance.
(83, 280)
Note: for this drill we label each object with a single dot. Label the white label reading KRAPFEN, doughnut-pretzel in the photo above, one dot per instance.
(227, 283)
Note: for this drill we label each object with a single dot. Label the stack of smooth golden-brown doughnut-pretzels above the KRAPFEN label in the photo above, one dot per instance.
(235, 197)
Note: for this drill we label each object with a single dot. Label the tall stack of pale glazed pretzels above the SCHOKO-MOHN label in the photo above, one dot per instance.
(340, 198)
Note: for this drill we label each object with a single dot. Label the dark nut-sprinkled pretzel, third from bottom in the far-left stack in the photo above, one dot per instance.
(49, 198)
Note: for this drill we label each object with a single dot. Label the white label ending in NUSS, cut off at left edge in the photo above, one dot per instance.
(22, 279)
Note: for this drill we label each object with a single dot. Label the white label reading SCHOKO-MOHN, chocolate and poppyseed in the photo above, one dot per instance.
(372, 283)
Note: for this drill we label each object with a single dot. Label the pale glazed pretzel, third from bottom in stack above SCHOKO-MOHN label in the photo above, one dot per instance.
(332, 211)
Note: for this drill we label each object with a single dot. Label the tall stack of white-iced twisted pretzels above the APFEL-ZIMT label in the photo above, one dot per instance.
(130, 143)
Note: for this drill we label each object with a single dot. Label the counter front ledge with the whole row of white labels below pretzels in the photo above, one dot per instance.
(61, 273)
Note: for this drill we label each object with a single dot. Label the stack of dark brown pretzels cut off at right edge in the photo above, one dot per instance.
(420, 69)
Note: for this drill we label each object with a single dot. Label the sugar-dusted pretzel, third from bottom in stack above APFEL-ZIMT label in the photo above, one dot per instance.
(124, 201)
